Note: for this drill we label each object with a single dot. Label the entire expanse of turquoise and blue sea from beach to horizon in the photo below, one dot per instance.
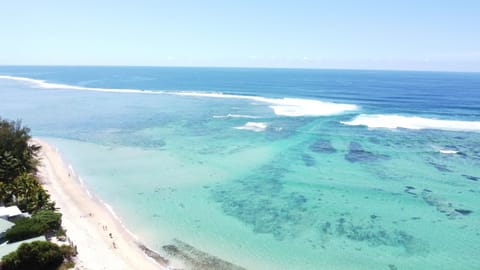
(353, 170)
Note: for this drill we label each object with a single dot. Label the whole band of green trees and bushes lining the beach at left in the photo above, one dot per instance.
(20, 186)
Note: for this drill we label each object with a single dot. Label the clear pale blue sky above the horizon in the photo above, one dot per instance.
(378, 34)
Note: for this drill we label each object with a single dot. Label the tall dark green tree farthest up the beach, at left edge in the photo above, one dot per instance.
(16, 155)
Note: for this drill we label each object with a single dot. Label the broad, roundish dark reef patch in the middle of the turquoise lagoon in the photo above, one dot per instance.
(263, 203)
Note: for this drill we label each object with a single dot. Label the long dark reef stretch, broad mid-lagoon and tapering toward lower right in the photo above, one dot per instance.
(267, 206)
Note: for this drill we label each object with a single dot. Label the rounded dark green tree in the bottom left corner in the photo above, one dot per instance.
(38, 255)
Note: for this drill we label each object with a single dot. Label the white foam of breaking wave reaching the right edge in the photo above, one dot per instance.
(412, 122)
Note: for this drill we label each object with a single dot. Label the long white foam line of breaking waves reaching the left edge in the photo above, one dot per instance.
(280, 106)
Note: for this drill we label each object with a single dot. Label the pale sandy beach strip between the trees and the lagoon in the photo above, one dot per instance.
(101, 240)
